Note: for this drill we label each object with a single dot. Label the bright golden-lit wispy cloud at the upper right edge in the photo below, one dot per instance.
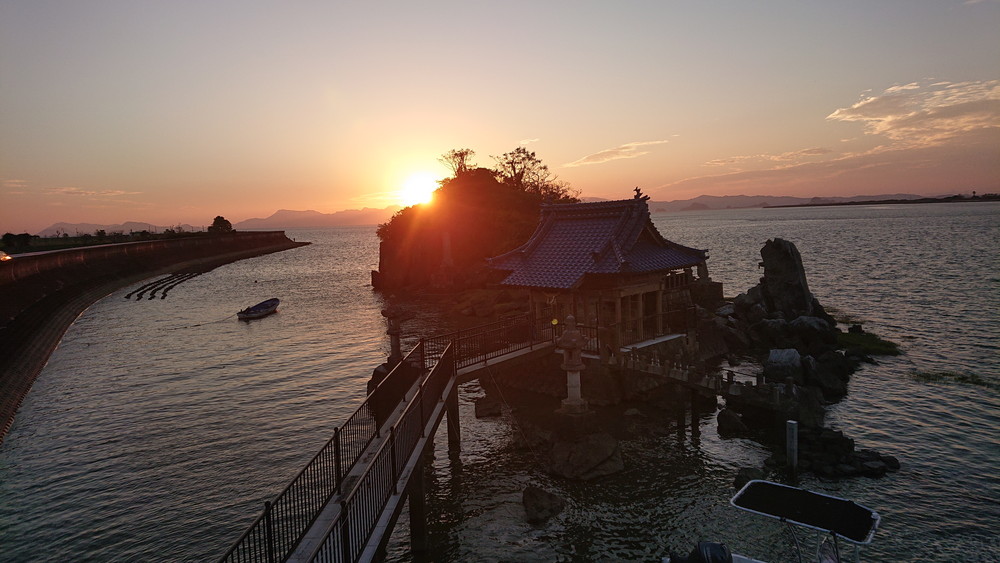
(916, 115)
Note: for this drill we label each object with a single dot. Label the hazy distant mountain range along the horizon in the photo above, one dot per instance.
(288, 219)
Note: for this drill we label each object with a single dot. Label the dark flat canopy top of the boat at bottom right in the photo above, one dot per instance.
(843, 517)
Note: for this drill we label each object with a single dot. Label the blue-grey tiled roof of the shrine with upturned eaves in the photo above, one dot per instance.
(576, 239)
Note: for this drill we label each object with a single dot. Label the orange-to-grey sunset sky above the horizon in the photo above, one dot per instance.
(173, 112)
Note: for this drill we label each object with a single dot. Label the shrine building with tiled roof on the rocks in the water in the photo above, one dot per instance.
(606, 264)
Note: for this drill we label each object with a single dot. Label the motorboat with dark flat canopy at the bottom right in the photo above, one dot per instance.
(834, 518)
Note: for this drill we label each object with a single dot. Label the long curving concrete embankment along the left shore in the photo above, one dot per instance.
(42, 294)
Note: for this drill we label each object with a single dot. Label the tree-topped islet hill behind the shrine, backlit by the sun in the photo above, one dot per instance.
(476, 213)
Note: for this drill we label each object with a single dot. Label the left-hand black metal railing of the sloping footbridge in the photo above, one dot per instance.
(277, 531)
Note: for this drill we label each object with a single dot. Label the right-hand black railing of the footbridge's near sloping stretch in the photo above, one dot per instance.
(348, 534)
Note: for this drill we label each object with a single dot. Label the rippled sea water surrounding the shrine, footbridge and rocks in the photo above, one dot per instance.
(159, 427)
